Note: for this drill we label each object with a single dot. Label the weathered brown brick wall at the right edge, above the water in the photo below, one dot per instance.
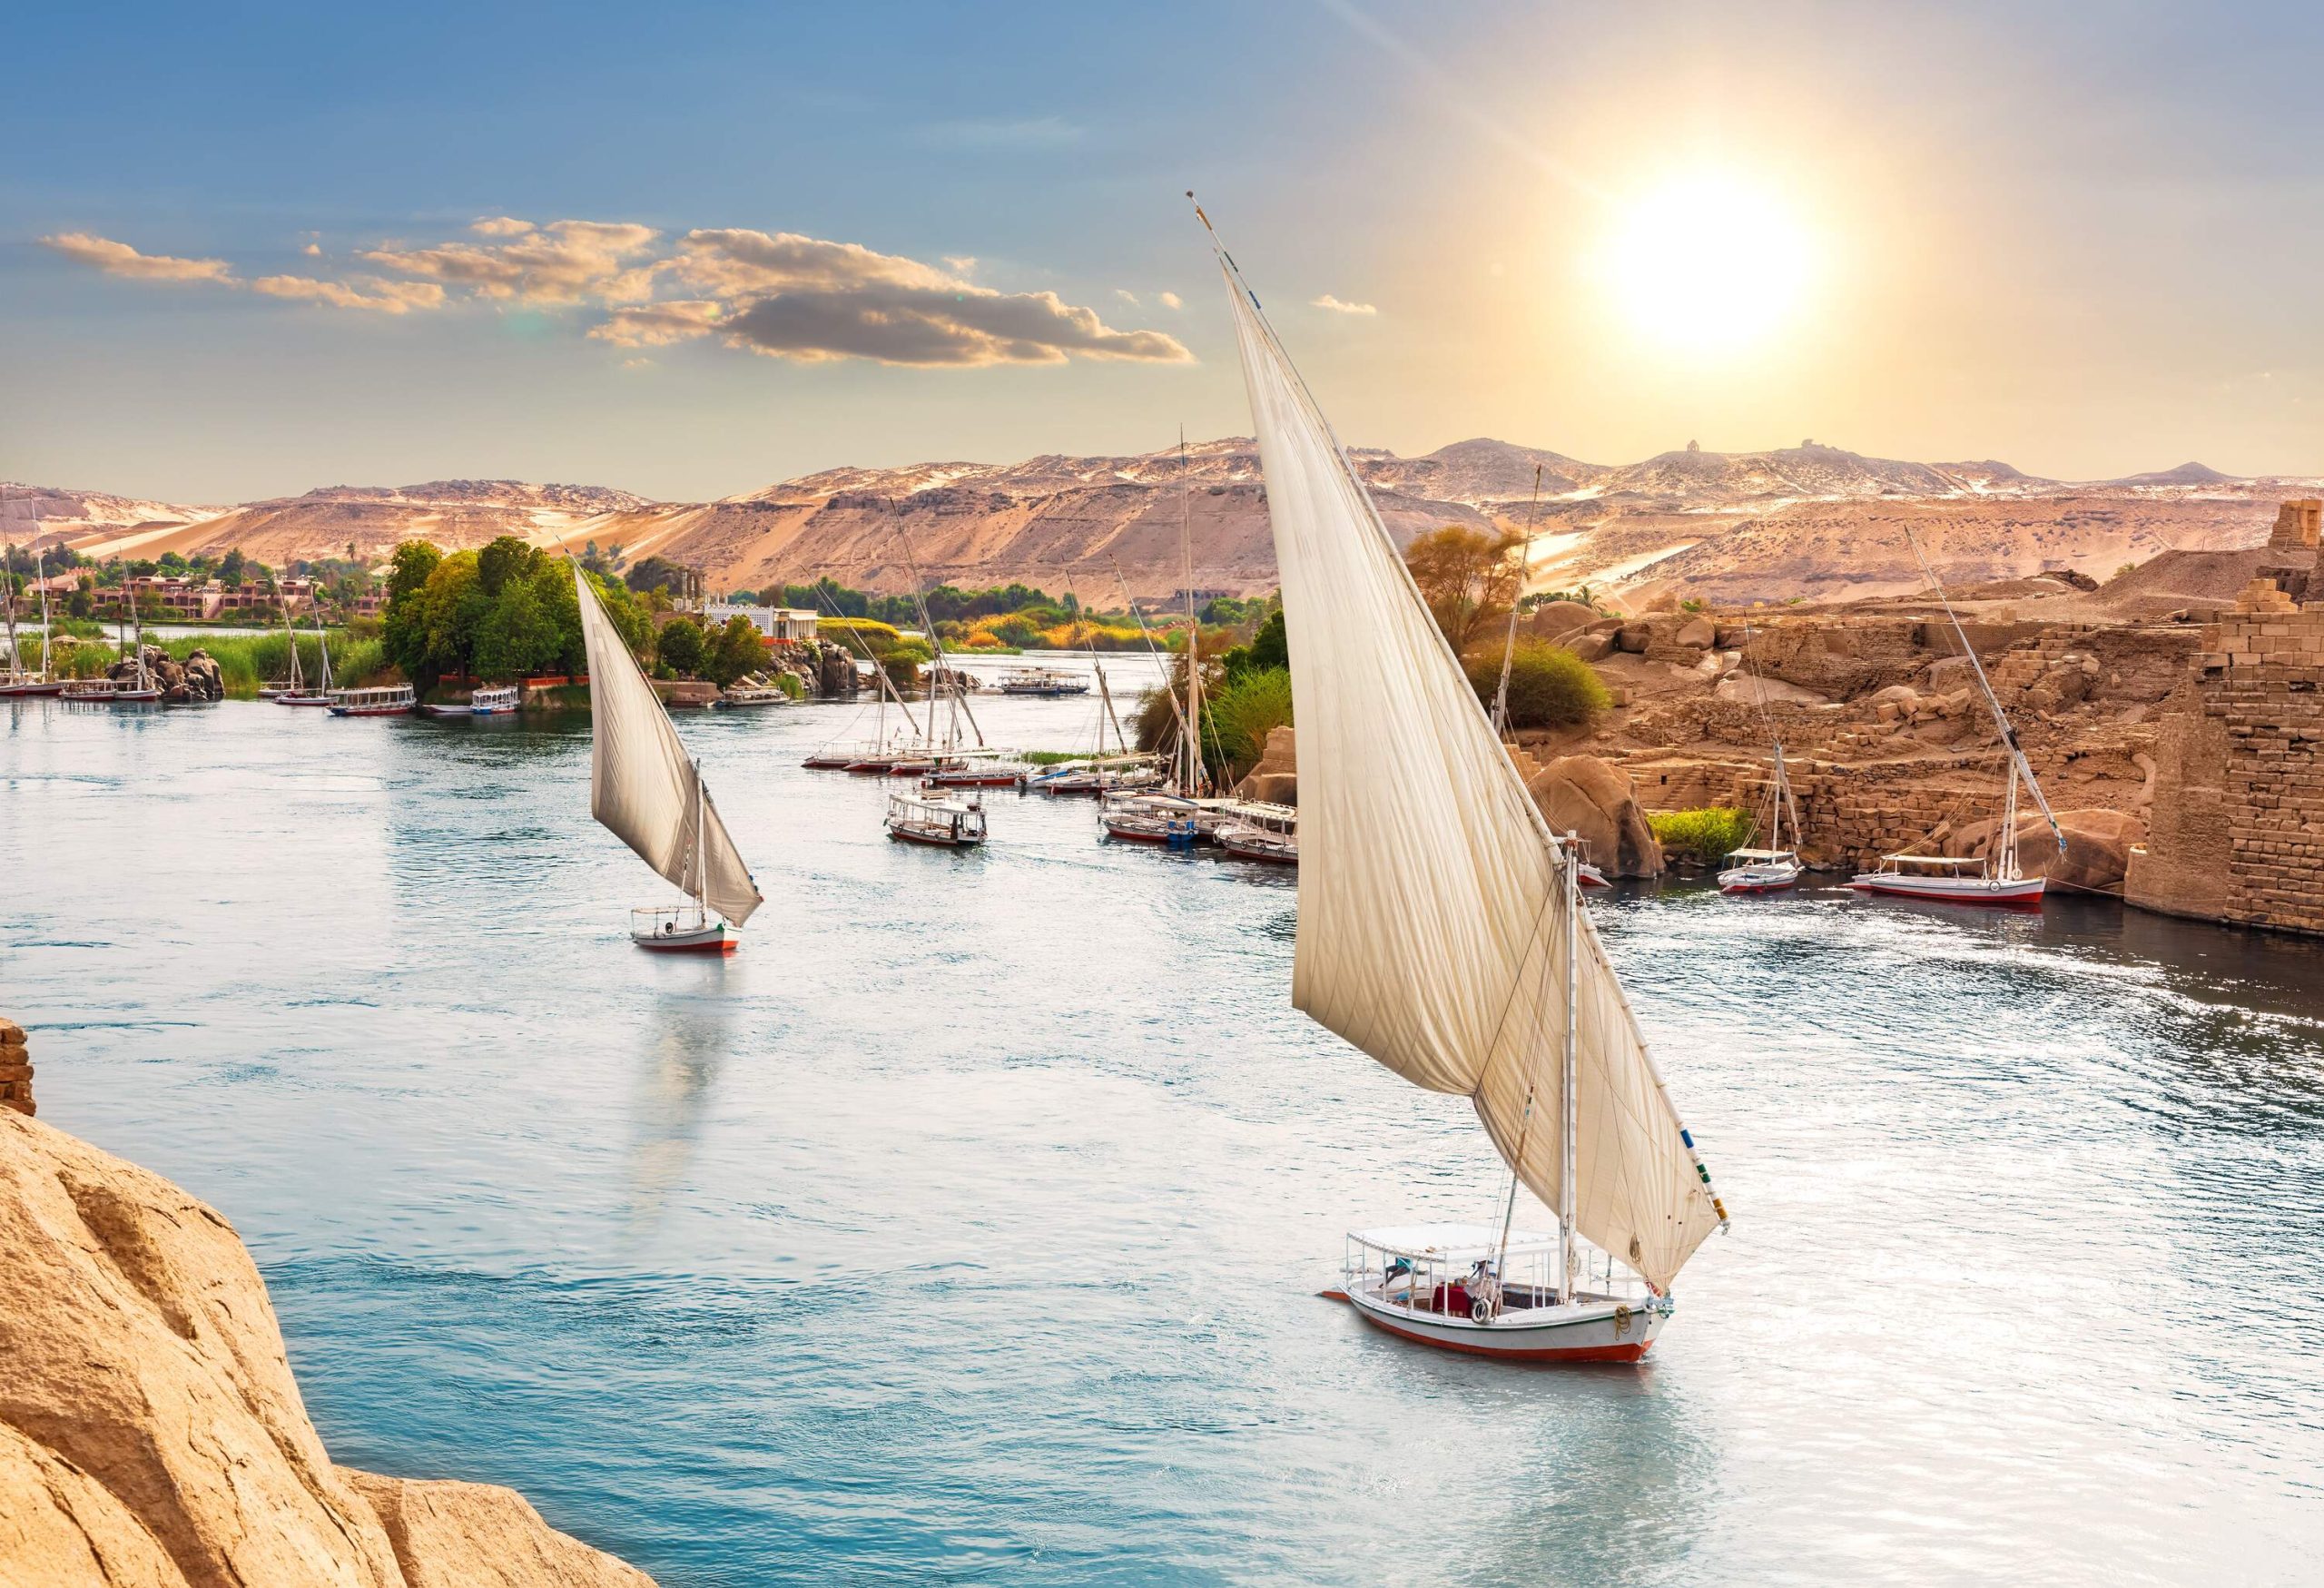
(2239, 796)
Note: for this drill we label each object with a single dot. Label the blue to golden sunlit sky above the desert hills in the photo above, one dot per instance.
(2076, 238)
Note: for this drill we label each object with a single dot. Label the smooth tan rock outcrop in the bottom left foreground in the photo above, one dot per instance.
(152, 1433)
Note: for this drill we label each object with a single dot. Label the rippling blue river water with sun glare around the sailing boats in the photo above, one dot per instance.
(968, 1224)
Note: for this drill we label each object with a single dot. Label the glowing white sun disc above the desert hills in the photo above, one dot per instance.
(1707, 264)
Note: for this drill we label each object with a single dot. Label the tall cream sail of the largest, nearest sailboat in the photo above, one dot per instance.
(1430, 901)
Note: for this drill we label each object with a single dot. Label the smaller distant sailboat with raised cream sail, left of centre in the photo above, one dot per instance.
(650, 794)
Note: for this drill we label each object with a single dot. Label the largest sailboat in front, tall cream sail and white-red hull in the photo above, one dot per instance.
(1442, 934)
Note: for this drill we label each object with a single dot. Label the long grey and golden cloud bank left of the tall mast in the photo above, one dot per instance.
(775, 294)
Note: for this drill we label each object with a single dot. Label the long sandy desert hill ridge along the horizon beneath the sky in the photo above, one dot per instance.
(1800, 522)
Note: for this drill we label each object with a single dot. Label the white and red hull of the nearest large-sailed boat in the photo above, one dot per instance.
(1472, 1289)
